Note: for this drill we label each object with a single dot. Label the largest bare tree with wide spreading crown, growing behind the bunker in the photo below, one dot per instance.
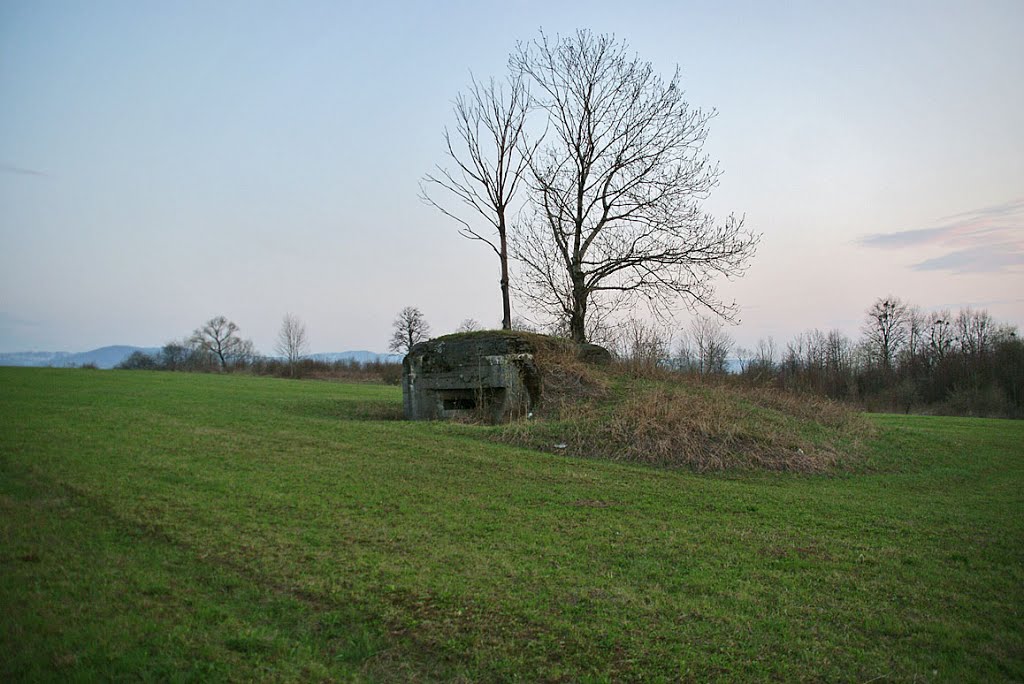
(617, 192)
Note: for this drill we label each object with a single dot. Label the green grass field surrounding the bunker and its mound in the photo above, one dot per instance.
(204, 528)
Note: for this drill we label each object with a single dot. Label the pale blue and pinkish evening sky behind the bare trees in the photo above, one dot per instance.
(162, 163)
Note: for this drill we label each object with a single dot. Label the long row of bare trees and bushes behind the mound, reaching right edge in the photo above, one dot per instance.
(906, 360)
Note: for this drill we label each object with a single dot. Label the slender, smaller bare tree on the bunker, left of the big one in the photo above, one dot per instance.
(490, 154)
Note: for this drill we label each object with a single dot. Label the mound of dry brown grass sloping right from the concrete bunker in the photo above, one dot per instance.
(668, 420)
